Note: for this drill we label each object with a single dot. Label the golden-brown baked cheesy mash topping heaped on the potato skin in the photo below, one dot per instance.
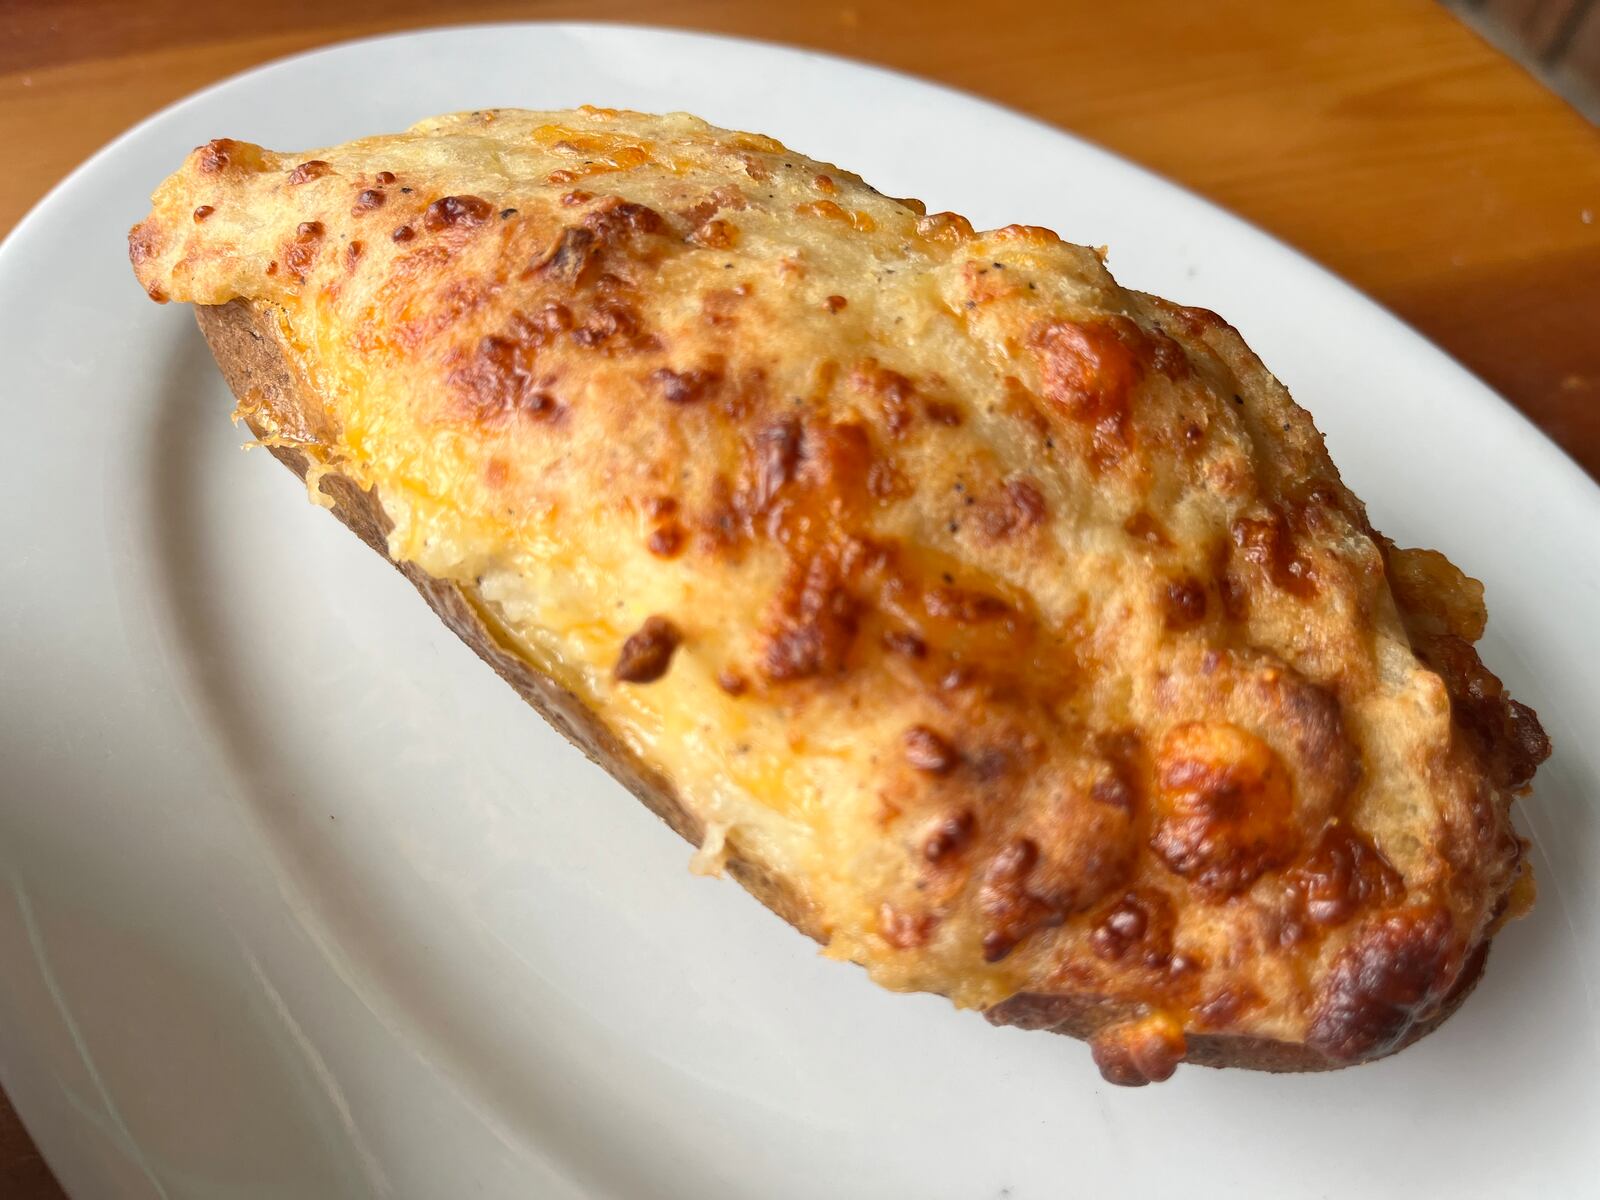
(1018, 620)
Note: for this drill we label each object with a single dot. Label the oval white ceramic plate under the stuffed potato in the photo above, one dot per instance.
(297, 900)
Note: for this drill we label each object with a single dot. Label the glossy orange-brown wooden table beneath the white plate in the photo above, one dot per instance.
(1380, 137)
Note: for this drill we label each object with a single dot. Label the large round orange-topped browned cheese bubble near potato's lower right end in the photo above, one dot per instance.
(1225, 807)
